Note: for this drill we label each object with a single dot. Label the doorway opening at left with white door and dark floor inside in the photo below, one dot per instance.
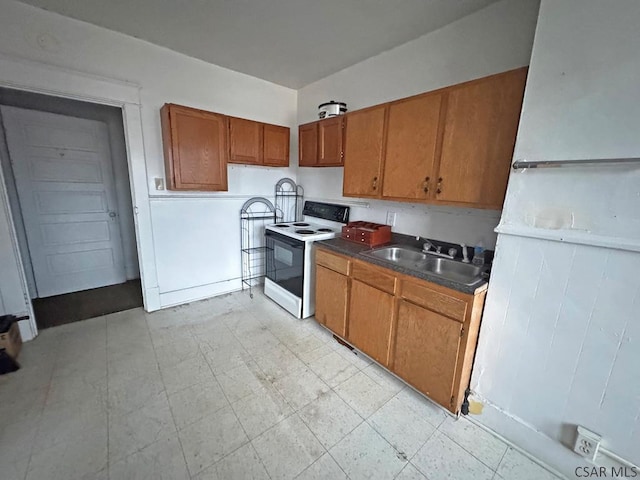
(65, 166)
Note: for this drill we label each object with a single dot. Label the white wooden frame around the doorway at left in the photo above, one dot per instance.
(26, 75)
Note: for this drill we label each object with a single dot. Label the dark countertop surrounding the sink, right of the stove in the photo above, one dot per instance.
(352, 249)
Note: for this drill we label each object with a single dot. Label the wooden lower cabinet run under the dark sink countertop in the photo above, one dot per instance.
(423, 332)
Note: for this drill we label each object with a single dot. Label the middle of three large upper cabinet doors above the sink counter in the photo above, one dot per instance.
(412, 134)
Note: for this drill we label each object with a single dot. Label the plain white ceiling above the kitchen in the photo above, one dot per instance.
(288, 42)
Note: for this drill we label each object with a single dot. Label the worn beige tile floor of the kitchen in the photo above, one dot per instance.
(227, 388)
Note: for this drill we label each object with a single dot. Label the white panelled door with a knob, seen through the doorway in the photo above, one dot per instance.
(64, 177)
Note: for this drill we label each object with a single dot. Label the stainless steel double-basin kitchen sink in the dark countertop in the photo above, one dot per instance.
(418, 261)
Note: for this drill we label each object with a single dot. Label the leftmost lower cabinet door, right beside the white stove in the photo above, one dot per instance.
(331, 300)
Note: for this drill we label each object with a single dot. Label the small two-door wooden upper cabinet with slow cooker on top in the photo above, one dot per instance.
(320, 143)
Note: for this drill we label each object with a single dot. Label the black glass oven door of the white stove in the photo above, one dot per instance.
(285, 262)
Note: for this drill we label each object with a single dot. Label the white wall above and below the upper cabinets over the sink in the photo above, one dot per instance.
(495, 39)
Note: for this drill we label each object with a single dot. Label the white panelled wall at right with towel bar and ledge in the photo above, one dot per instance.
(559, 339)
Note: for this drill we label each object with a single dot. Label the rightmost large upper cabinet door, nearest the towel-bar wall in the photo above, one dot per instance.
(479, 136)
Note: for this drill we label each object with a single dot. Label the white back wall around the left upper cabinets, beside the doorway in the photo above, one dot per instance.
(166, 76)
